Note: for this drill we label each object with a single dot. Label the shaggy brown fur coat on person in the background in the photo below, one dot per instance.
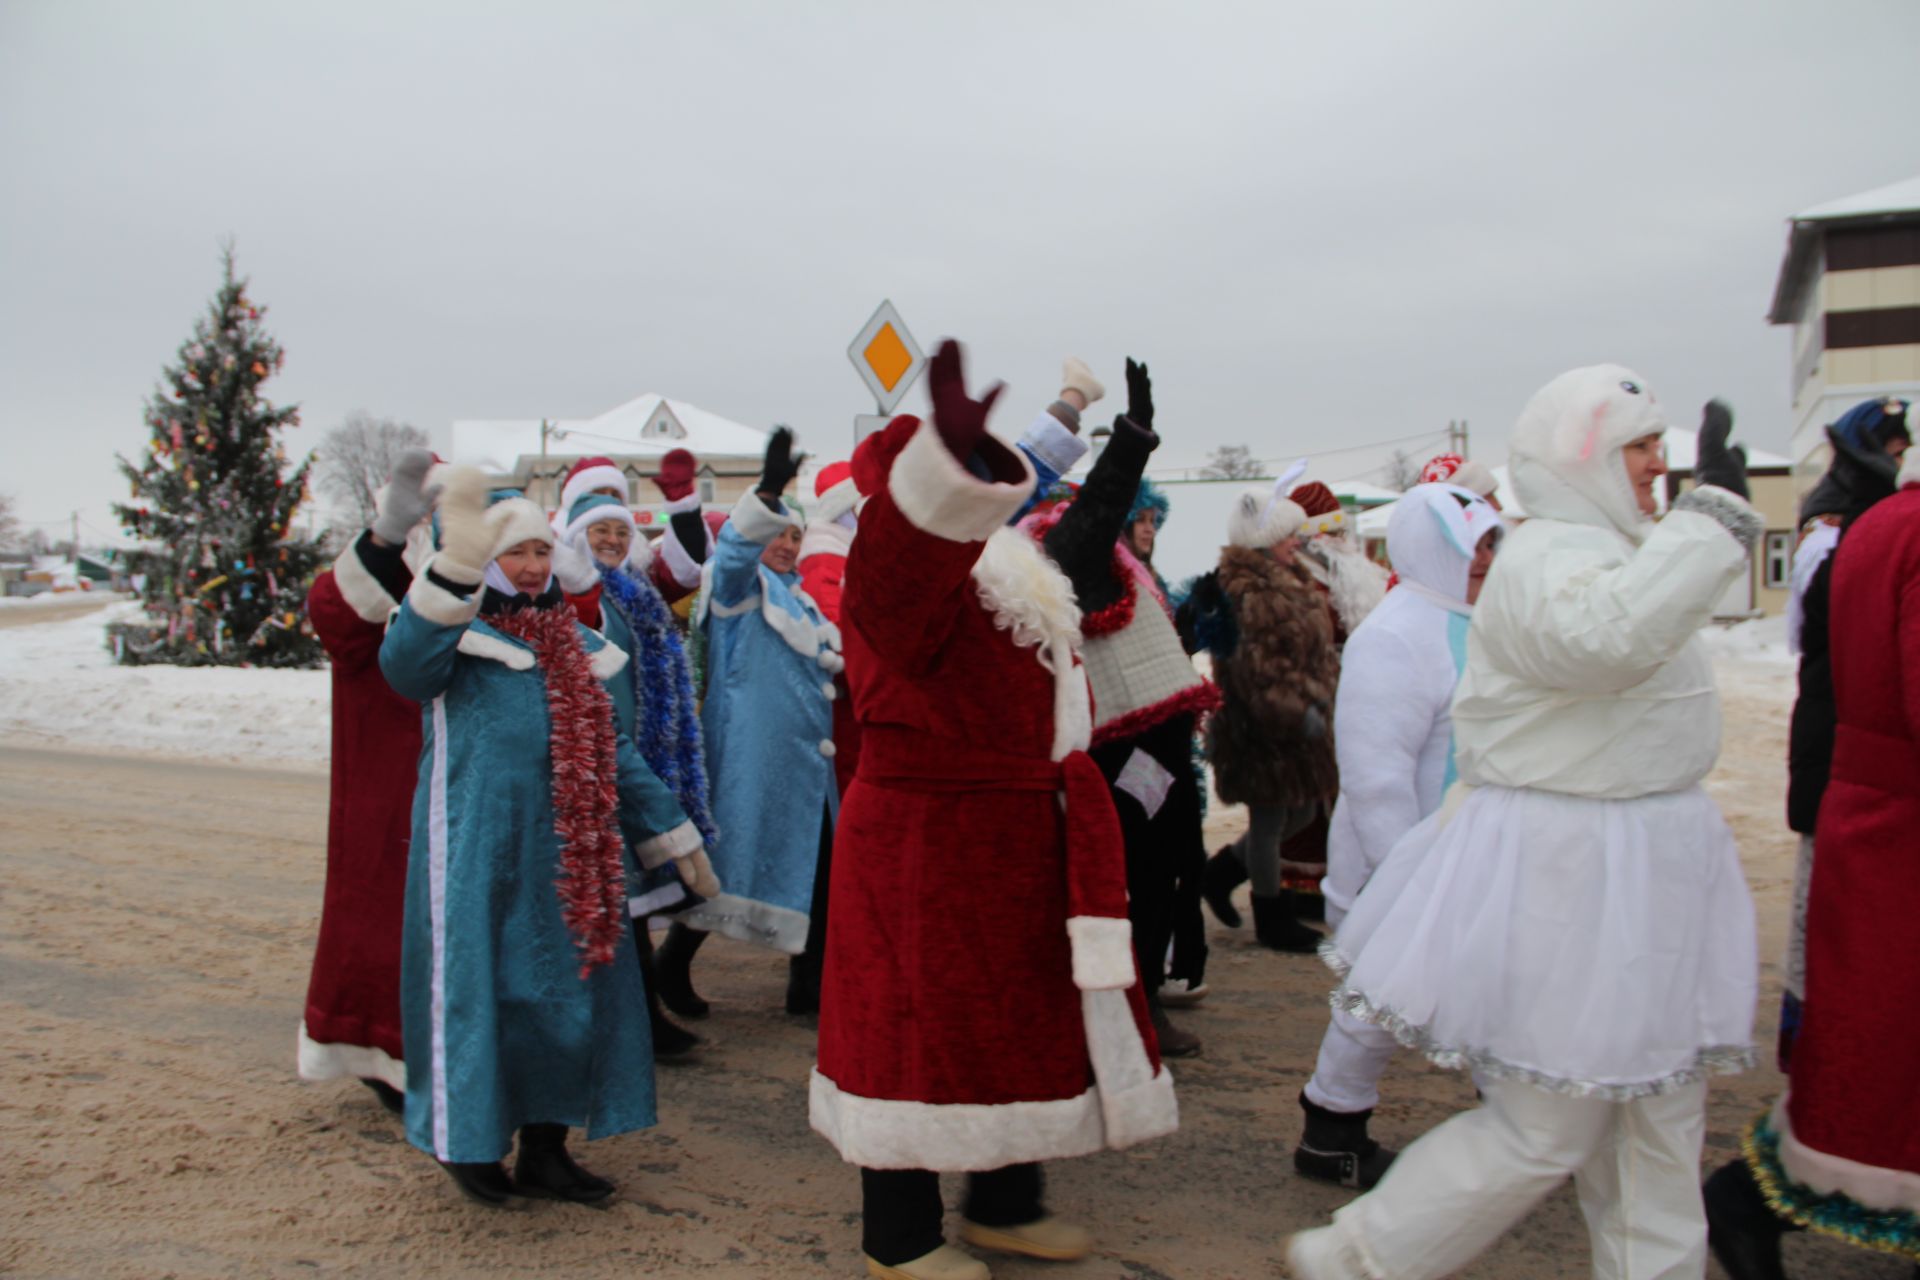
(1284, 665)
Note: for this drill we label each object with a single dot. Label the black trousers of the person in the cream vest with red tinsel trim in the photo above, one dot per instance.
(1164, 851)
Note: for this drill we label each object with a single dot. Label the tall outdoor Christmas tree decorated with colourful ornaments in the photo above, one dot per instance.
(226, 579)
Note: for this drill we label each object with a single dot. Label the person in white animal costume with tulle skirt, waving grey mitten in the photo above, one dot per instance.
(1577, 930)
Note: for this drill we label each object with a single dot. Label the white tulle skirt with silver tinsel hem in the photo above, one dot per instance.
(1587, 947)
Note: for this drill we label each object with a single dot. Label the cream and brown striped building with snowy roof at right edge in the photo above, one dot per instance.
(1850, 287)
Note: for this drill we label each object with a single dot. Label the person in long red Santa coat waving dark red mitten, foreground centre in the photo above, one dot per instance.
(982, 1008)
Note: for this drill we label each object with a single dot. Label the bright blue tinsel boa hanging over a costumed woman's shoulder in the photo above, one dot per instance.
(663, 684)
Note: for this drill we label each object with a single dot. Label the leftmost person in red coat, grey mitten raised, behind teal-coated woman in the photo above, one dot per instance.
(352, 1016)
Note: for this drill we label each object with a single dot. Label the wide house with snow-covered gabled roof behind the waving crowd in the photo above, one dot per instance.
(537, 454)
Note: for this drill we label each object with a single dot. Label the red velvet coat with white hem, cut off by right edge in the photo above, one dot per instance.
(1854, 1095)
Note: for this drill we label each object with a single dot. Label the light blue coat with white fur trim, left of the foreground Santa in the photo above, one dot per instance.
(769, 730)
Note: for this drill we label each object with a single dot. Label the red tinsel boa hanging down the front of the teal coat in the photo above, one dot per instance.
(587, 797)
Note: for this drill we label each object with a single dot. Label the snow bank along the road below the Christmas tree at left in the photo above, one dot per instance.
(59, 686)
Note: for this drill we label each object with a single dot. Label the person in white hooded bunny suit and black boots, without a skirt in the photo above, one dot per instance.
(1395, 740)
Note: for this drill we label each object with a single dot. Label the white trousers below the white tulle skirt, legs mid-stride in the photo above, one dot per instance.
(1460, 1187)
